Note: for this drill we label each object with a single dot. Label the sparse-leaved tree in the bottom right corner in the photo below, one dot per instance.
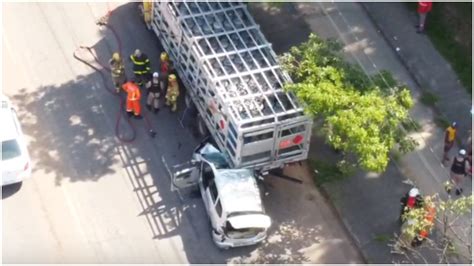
(451, 221)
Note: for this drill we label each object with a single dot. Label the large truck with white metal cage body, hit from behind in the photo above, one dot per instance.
(233, 78)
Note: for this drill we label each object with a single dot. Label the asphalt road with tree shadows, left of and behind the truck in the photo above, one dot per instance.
(93, 199)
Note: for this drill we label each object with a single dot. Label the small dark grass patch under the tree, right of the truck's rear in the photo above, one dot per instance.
(324, 172)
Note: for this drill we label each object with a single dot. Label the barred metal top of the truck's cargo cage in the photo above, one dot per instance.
(236, 54)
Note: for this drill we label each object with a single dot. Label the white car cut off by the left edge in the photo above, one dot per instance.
(16, 165)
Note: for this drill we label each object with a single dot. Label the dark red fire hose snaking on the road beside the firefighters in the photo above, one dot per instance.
(120, 114)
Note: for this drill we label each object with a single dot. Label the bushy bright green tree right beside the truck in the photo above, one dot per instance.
(361, 114)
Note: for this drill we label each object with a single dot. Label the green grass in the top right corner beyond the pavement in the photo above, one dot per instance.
(444, 30)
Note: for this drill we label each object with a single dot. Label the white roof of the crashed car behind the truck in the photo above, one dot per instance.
(238, 191)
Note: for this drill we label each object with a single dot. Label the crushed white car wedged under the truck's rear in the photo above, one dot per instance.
(231, 196)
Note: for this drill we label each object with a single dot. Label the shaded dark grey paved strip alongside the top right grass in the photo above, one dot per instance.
(428, 68)
